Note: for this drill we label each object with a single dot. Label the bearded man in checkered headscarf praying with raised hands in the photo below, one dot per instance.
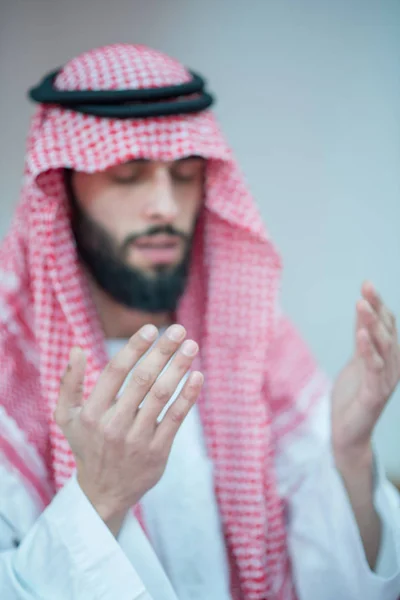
(136, 245)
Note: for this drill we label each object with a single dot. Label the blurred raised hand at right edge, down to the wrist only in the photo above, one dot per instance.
(365, 385)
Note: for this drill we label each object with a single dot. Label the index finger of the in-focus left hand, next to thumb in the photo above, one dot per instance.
(117, 370)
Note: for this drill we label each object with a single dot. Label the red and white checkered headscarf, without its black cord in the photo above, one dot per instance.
(254, 362)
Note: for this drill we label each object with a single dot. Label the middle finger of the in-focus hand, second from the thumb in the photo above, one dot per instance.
(144, 376)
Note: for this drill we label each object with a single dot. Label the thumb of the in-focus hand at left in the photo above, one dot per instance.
(71, 387)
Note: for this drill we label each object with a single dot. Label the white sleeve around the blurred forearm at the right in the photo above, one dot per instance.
(326, 549)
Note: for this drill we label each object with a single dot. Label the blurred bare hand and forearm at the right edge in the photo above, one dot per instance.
(359, 396)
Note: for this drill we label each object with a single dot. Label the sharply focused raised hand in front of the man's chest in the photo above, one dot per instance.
(121, 450)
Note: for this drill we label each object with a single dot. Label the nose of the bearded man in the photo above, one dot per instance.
(161, 206)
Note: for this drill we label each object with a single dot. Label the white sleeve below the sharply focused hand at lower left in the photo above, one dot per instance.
(65, 552)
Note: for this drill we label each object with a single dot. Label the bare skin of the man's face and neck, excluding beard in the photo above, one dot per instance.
(129, 199)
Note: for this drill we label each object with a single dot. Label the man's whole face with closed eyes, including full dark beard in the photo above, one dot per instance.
(133, 226)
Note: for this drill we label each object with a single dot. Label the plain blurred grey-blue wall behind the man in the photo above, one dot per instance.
(309, 98)
